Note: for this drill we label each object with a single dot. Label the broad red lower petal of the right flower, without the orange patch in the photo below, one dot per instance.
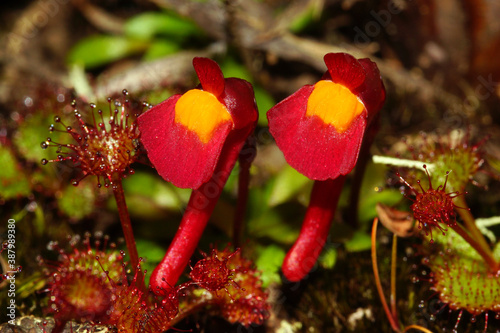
(310, 146)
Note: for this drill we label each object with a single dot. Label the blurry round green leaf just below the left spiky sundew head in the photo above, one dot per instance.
(78, 202)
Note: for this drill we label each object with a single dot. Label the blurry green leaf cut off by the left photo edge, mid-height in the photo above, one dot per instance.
(13, 181)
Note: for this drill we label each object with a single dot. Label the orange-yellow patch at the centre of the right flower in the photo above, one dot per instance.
(335, 104)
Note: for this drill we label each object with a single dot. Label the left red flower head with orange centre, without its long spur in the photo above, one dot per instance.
(184, 135)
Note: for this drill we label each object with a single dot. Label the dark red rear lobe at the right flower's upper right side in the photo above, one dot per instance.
(372, 92)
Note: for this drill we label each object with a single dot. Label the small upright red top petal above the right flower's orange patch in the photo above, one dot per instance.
(345, 69)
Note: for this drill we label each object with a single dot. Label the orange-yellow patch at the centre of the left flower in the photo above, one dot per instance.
(201, 112)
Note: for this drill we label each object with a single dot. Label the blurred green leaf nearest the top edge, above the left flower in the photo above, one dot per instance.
(148, 25)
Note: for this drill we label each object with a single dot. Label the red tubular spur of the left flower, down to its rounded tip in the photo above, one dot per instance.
(199, 209)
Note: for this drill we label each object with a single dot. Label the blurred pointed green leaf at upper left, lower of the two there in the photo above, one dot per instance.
(99, 50)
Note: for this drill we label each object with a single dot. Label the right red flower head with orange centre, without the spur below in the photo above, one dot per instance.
(320, 127)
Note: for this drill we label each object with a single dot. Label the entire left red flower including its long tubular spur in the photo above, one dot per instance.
(193, 140)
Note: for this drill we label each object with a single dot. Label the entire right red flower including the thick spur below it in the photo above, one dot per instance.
(320, 129)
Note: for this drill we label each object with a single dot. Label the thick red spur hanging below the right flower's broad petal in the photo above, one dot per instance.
(319, 215)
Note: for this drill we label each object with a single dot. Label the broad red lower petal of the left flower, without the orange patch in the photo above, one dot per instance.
(177, 153)
